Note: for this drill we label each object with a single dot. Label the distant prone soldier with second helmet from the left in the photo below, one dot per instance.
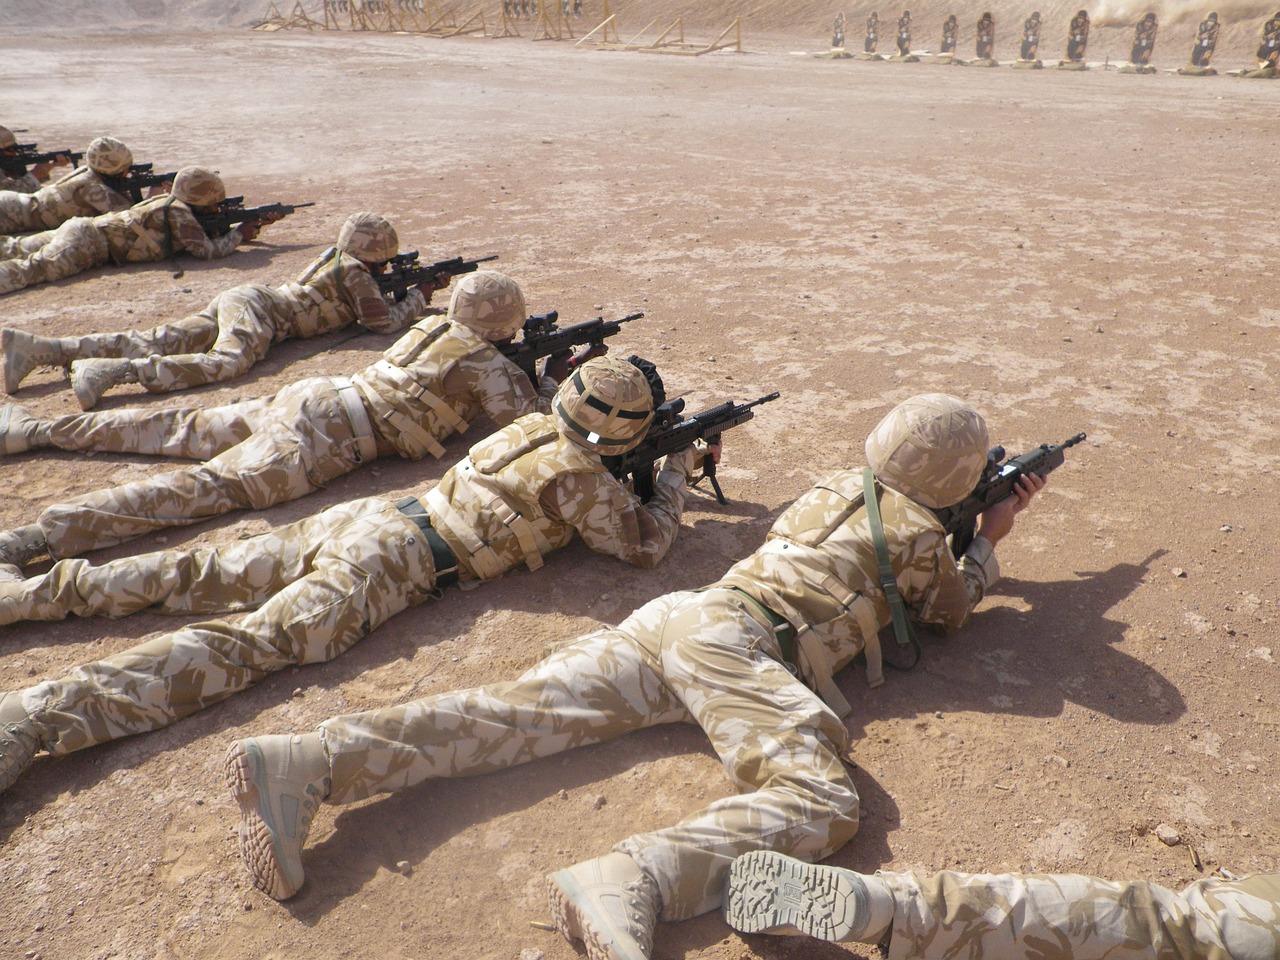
(99, 188)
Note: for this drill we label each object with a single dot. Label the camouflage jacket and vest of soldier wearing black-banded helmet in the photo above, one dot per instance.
(527, 491)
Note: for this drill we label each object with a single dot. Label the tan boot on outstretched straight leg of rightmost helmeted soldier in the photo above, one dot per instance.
(278, 783)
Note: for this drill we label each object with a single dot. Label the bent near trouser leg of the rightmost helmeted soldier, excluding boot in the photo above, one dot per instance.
(778, 742)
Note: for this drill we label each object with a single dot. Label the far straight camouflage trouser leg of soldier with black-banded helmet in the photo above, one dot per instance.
(235, 577)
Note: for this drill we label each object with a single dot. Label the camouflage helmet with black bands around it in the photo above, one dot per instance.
(606, 406)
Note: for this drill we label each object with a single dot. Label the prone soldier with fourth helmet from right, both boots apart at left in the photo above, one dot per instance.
(237, 330)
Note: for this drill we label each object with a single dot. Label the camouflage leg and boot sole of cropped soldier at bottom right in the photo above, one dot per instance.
(1050, 917)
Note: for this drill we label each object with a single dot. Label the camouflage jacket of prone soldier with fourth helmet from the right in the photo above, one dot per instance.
(335, 291)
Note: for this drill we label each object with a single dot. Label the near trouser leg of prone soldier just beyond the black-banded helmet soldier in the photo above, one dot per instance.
(308, 442)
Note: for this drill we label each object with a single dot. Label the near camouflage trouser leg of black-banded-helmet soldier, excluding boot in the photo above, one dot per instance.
(369, 569)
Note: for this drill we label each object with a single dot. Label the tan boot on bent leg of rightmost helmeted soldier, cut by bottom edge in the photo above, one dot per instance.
(610, 904)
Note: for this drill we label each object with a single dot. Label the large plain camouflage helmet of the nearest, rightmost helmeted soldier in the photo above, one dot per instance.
(931, 449)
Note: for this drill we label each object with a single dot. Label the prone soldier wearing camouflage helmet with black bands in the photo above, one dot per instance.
(322, 584)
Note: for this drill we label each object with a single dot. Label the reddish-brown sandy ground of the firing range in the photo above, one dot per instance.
(1069, 252)
